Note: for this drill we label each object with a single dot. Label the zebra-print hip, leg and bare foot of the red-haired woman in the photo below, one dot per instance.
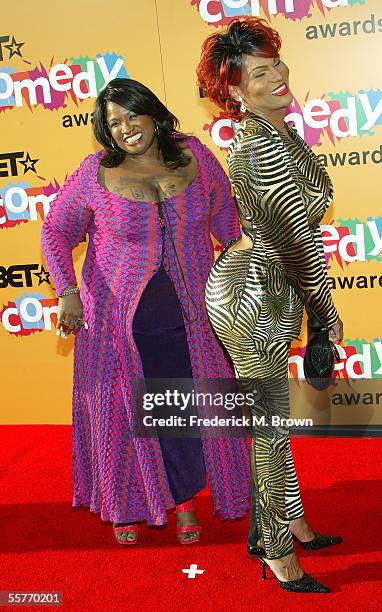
(235, 305)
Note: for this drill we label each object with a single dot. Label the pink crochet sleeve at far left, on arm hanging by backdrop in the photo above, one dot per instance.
(65, 226)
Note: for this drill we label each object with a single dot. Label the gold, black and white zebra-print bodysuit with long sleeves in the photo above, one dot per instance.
(255, 300)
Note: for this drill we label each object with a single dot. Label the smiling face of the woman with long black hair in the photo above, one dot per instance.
(134, 134)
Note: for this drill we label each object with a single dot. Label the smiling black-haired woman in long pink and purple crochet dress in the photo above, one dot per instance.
(148, 202)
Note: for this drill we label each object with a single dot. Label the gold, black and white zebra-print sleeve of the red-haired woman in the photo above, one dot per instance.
(264, 183)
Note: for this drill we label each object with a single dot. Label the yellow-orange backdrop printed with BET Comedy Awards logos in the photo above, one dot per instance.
(55, 58)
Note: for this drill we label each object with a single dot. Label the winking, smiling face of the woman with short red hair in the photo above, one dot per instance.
(264, 85)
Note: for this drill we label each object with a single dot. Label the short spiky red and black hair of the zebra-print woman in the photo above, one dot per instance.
(220, 61)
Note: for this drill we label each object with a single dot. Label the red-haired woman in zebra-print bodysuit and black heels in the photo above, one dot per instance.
(256, 288)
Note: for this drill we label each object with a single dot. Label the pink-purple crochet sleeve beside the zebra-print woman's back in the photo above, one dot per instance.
(224, 219)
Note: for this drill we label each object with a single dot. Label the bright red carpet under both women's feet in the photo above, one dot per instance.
(46, 546)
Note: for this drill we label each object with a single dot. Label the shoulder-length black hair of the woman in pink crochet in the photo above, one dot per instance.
(139, 99)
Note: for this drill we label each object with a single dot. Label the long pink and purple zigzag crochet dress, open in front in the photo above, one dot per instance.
(120, 476)
